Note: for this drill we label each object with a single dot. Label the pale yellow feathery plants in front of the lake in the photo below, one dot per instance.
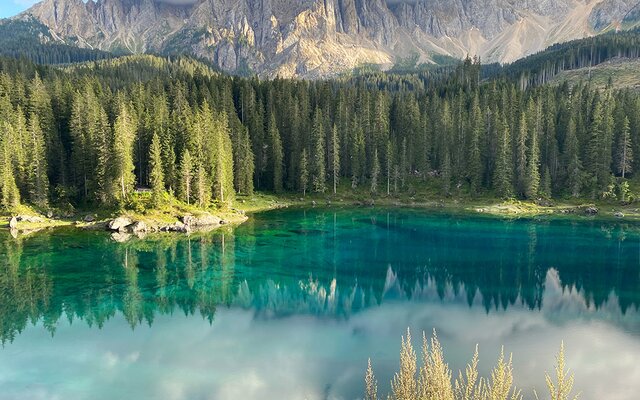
(434, 379)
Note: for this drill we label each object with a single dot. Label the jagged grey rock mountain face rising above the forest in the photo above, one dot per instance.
(317, 38)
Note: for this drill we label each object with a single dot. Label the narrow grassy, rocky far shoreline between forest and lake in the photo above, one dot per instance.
(244, 208)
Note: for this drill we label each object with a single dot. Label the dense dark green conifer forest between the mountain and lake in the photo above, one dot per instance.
(91, 134)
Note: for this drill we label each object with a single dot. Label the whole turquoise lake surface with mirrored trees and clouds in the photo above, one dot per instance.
(291, 304)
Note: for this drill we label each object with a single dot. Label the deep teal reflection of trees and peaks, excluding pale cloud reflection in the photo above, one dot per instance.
(348, 266)
